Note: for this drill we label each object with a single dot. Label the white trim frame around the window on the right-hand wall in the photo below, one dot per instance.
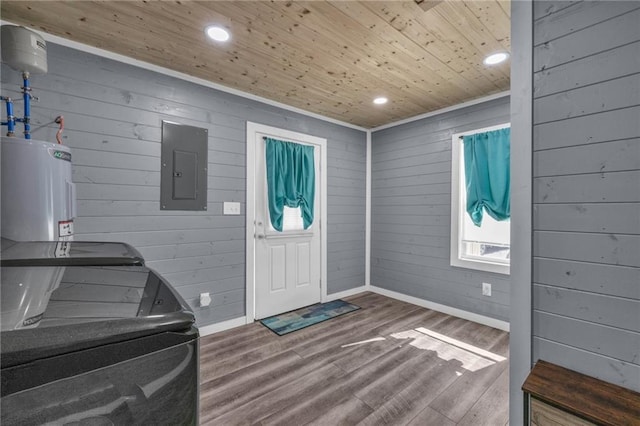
(457, 210)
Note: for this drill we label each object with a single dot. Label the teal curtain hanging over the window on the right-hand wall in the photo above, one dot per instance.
(486, 170)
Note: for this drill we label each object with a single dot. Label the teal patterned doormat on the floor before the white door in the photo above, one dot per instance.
(296, 320)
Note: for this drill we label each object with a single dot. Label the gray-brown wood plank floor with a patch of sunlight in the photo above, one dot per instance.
(369, 367)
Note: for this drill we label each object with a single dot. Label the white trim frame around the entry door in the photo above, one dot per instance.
(250, 211)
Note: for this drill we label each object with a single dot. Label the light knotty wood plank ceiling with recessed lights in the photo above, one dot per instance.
(328, 57)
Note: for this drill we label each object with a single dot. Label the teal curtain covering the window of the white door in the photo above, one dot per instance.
(290, 180)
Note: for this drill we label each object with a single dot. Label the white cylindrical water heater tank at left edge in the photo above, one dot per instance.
(38, 195)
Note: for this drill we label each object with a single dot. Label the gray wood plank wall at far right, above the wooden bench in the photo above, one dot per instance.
(586, 194)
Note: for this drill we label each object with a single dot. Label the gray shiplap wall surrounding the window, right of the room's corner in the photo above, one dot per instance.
(411, 207)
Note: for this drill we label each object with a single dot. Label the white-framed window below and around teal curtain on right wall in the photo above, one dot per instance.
(484, 247)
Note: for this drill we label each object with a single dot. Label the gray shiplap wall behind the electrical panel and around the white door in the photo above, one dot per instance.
(113, 114)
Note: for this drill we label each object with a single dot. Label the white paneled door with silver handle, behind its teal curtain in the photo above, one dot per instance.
(287, 264)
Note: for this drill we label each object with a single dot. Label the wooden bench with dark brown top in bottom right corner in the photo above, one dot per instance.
(558, 396)
